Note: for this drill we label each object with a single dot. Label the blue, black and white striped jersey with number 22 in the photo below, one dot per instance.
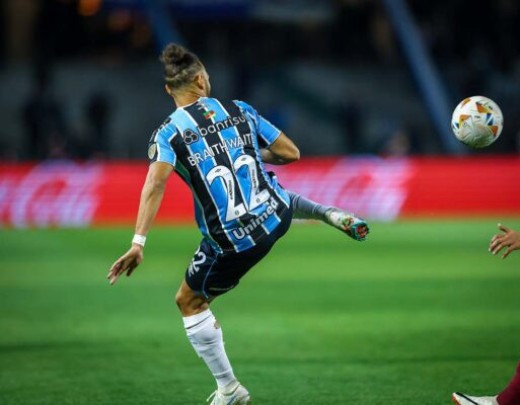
(214, 146)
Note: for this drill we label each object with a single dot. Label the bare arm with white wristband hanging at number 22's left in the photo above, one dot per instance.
(151, 197)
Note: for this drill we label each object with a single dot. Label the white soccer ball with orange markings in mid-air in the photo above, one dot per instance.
(477, 121)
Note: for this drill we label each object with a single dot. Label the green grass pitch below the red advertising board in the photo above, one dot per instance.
(419, 310)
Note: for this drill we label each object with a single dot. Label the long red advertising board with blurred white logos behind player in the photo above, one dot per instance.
(62, 193)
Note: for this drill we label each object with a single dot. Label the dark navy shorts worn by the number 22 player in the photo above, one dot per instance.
(211, 273)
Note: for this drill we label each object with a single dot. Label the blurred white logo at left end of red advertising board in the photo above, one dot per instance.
(51, 194)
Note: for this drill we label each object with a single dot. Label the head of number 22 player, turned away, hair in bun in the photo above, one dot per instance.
(184, 72)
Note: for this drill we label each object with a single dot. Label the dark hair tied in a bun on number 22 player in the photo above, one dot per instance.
(180, 66)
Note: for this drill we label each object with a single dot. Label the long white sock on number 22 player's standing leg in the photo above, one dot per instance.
(205, 335)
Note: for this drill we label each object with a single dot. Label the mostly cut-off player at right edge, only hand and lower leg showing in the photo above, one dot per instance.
(510, 241)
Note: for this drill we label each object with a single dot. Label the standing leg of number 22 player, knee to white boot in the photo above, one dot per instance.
(205, 335)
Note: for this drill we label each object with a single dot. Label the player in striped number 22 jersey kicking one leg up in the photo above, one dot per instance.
(219, 147)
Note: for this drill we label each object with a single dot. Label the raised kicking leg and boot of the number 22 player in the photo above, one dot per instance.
(303, 208)
